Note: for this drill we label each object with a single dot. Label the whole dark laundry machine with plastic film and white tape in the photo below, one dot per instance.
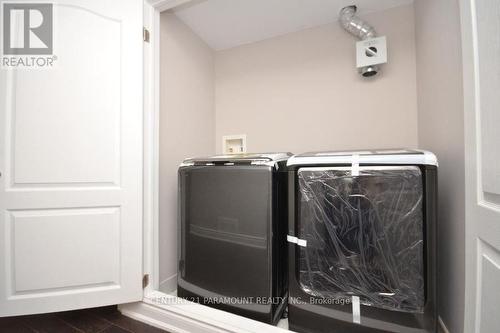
(362, 242)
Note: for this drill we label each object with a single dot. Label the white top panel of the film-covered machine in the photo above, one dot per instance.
(389, 156)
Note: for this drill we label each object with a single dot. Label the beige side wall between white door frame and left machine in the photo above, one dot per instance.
(187, 124)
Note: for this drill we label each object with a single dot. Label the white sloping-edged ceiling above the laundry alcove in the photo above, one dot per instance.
(224, 24)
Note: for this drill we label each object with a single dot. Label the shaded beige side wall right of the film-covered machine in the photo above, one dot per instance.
(441, 129)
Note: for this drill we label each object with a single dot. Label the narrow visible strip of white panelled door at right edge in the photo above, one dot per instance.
(481, 53)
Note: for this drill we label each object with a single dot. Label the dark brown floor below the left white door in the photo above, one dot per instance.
(98, 320)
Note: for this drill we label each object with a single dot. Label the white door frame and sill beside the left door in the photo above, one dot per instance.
(159, 309)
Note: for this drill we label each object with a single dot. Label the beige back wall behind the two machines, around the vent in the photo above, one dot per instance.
(301, 91)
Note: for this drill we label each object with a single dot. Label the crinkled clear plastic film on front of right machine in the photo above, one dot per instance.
(364, 235)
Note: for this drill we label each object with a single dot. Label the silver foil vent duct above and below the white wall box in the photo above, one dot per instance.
(360, 29)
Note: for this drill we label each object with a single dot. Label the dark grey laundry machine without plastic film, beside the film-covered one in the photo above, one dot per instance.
(233, 222)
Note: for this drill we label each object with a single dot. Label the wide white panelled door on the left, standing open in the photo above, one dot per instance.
(71, 165)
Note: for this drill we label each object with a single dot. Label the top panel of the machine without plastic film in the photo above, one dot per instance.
(256, 159)
